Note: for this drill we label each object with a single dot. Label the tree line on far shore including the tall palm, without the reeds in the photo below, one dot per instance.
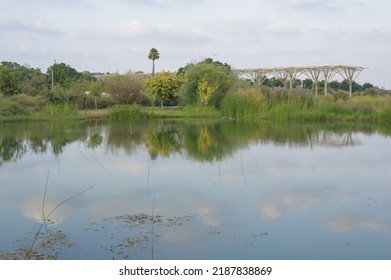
(206, 83)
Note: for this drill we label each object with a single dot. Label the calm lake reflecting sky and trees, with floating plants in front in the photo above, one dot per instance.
(194, 189)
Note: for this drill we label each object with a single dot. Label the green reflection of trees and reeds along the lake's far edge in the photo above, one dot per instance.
(205, 141)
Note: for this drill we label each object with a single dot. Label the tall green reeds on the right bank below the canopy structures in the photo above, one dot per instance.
(301, 106)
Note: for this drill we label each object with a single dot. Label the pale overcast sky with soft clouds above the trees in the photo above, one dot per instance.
(116, 35)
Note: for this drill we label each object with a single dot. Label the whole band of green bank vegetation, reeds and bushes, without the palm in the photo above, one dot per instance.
(205, 89)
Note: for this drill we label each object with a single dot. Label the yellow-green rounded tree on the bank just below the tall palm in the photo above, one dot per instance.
(163, 86)
